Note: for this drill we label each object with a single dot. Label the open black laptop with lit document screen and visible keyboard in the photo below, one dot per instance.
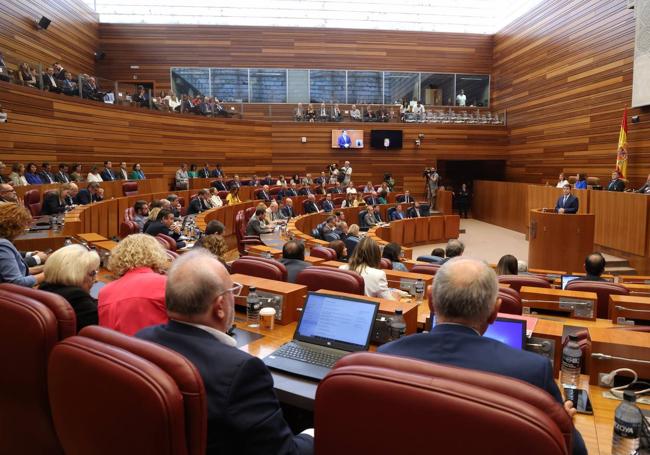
(330, 327)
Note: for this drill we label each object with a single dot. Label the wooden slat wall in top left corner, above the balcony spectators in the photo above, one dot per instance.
(71, 38)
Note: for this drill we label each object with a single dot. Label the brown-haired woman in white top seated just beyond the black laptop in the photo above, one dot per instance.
(365, 260)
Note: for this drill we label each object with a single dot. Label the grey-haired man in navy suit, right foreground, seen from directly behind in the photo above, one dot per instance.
(466, 302)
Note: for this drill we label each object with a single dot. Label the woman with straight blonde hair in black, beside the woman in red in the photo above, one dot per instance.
(70, 272)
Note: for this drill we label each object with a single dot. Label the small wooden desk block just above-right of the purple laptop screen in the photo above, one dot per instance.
(559, 300)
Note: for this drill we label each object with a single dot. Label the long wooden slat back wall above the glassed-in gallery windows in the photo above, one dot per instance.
(157, 48)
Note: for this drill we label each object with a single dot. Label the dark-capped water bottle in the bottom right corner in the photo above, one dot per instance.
(628, 422)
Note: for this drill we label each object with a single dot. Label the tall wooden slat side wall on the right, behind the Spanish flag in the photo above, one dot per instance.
(564, 73)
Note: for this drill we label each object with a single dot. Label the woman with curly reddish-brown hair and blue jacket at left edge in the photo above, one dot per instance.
(14, 219)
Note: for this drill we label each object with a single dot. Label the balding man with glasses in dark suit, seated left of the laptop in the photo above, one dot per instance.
(244, 415)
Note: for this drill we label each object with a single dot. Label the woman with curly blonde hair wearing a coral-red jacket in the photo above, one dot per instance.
(137, 298)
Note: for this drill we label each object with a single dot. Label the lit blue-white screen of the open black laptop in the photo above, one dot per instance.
(331, 318)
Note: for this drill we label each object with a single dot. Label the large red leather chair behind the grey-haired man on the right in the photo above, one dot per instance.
(508, 416)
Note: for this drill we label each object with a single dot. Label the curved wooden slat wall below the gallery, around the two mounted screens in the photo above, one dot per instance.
(55, 128)
